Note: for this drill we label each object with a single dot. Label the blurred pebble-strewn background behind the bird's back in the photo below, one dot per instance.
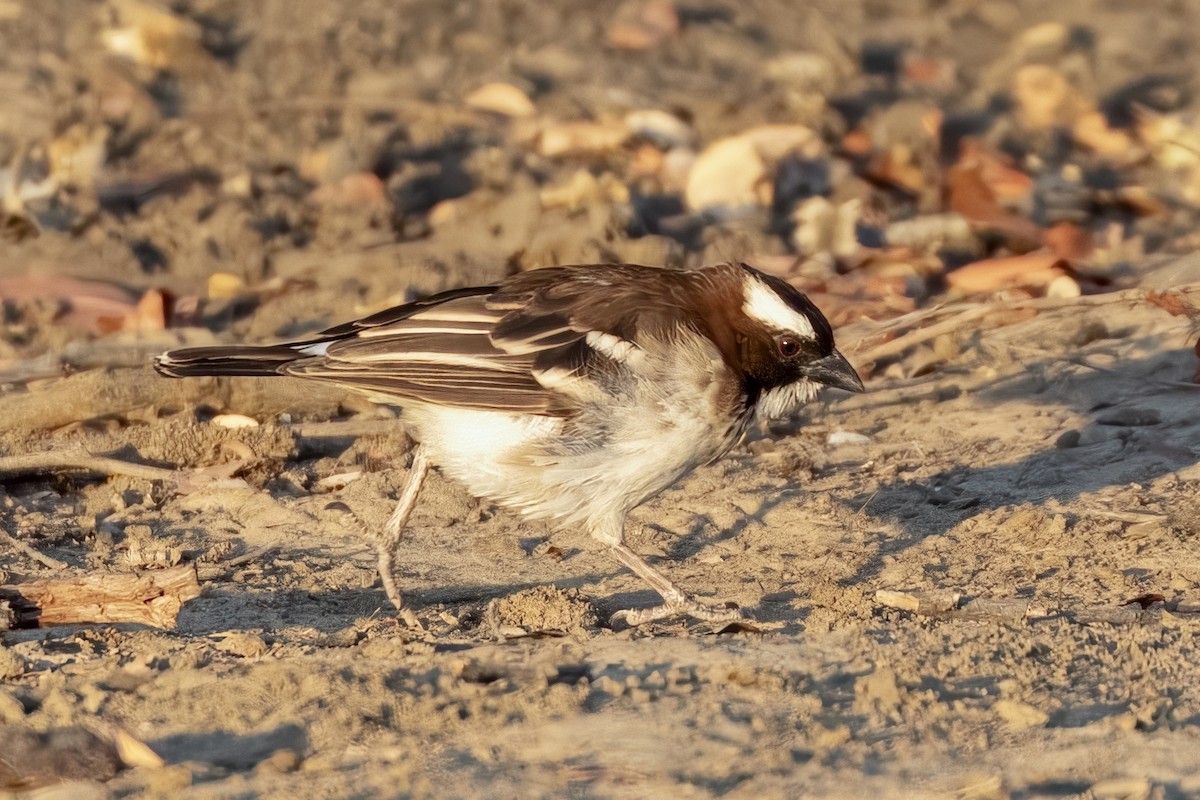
(251, 171)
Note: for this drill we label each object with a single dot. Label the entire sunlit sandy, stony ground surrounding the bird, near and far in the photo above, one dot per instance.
(979, 580)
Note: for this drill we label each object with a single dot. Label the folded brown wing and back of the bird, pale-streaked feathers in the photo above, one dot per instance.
(541, 344)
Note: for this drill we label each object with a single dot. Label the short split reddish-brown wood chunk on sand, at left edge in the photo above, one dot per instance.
(151, 598)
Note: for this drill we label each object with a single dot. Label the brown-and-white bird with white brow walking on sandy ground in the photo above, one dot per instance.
(571, 394)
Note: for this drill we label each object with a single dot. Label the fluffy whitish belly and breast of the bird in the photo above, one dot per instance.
(593, 471)
